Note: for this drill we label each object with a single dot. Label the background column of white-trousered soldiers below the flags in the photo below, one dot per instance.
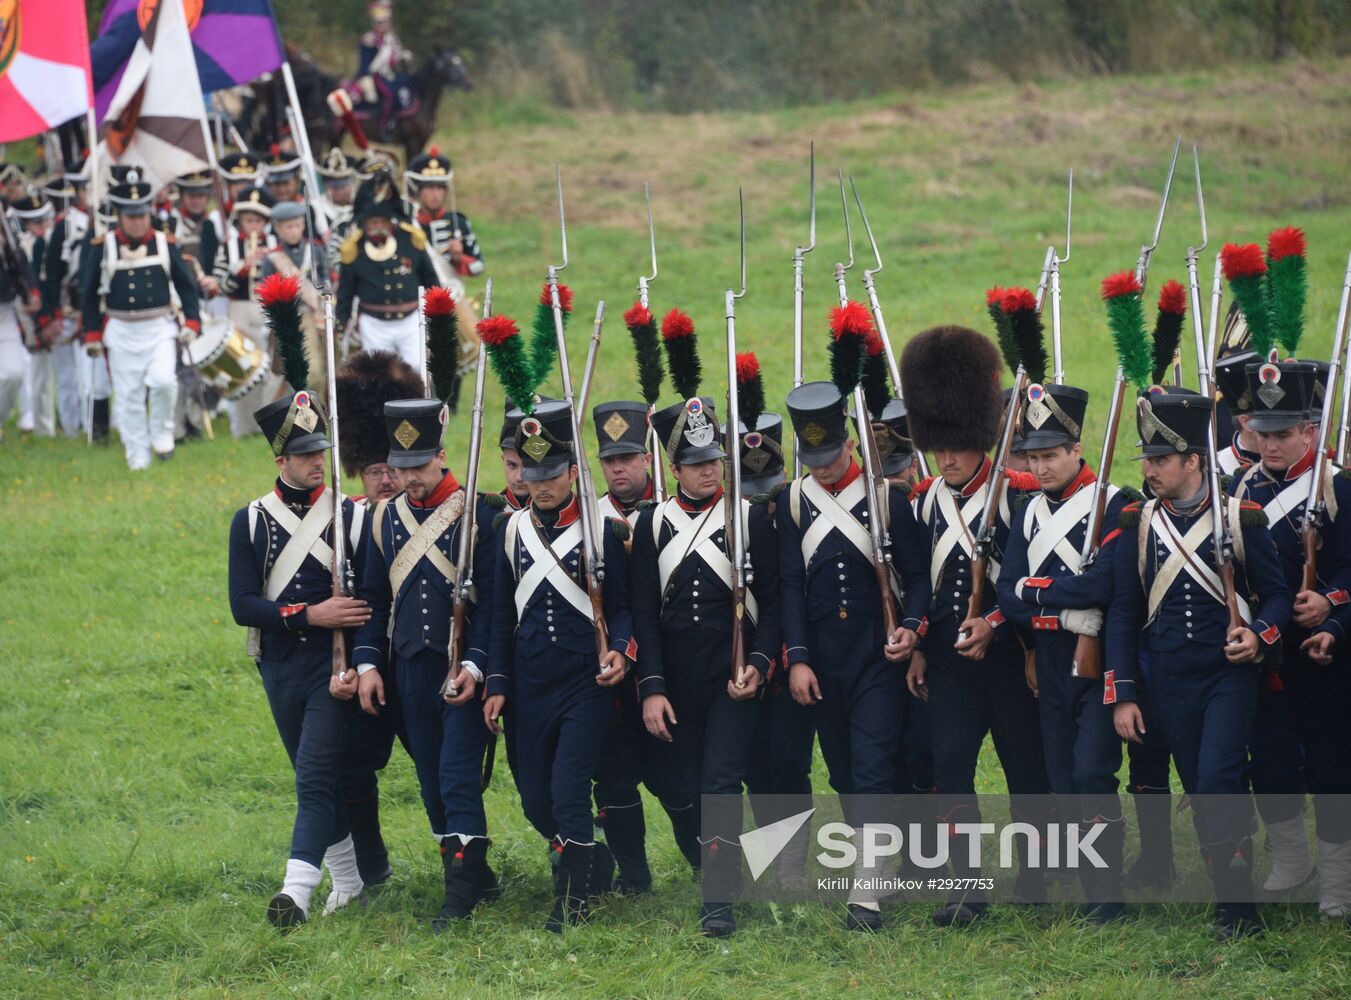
(83, 274)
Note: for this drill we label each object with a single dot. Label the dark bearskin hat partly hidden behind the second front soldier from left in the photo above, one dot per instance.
(367, 380)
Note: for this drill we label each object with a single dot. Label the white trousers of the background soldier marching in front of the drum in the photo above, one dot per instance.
(143, 359)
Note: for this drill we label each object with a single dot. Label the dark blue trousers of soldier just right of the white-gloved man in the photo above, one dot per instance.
(1206, 706)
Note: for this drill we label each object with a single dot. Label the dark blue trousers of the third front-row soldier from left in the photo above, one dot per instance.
(560, 721)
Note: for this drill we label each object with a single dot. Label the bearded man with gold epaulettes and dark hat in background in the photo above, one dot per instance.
(384, 261)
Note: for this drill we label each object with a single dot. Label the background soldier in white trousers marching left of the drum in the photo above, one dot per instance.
(128, 307)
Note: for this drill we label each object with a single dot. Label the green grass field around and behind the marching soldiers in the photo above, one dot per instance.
(145, 799)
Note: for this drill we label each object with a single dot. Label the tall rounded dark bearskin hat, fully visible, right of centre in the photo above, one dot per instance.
(950, 379)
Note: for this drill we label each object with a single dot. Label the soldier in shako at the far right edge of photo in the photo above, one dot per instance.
(1295, 745)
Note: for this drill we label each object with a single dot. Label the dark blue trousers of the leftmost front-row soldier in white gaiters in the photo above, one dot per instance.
(315, 729)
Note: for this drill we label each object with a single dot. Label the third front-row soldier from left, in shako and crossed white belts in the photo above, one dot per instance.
(544, 659)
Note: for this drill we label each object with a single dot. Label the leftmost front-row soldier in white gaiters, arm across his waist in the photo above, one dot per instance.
(282, 590)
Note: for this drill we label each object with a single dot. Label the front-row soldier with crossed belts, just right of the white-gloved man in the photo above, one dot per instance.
(1203, 675)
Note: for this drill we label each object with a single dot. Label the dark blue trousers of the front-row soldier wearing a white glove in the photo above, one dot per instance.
(1079, 737)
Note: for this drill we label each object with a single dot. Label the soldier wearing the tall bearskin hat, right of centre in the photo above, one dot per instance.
(972, 668)
